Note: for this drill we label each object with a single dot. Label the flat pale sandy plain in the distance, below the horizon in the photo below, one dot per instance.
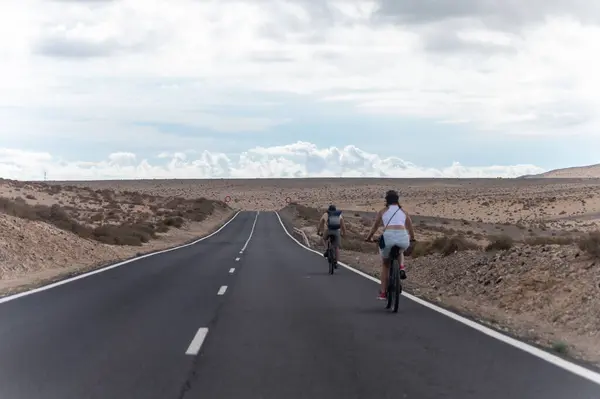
(542, 203)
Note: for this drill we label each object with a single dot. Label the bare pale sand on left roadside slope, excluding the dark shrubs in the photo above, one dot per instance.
(35, 252)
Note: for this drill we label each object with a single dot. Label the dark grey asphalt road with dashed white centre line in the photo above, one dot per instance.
(282, 328)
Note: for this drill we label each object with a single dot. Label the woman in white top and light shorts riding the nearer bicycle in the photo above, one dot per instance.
(396, 223)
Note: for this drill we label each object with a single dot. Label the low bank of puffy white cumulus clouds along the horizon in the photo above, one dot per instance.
(299, 159)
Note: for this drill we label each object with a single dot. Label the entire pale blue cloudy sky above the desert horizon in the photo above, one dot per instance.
(105, 89)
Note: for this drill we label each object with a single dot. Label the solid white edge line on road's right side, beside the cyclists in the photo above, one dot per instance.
(555, 360)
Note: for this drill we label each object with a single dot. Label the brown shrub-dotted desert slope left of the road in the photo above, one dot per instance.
(49, 232)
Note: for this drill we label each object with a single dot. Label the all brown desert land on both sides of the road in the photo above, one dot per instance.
(518, 254)
